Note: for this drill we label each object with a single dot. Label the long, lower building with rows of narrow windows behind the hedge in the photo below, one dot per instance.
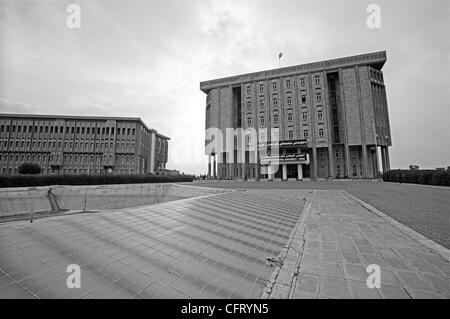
(80, 144)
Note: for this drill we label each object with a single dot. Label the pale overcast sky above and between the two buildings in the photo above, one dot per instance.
(146, 59)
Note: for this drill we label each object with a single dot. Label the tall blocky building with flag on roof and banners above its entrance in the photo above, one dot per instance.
(327, 119)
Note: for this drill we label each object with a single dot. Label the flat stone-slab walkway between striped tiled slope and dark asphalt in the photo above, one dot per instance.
(341, 238)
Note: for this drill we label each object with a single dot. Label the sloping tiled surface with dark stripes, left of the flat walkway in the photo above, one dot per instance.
(209, 247)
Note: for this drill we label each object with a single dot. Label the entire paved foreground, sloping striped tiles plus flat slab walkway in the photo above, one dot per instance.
(236, 244)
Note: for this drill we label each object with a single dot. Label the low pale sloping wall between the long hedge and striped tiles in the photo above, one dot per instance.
(16, 201)
